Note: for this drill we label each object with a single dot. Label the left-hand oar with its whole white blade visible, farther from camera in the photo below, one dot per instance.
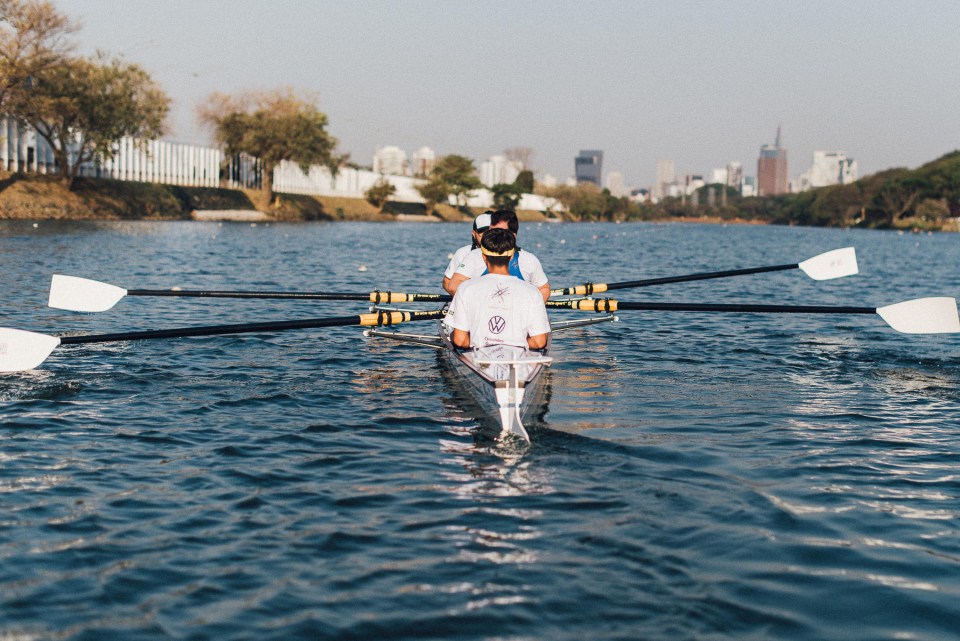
(85, 295)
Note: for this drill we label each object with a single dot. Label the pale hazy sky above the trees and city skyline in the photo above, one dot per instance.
(702, 83)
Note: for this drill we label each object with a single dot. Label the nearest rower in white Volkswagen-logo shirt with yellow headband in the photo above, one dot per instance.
(498, 308)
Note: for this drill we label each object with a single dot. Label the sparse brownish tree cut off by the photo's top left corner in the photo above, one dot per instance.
(33, 36)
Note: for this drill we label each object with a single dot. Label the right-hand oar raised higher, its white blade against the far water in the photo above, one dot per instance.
(832, 264)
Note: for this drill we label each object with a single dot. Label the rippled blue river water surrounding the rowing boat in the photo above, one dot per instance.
(692, 476)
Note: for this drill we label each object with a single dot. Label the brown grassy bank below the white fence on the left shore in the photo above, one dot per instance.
(35, 197)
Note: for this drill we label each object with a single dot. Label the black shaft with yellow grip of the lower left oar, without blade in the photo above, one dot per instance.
(375, 318)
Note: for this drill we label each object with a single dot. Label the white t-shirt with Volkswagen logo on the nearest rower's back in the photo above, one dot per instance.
(498, 310)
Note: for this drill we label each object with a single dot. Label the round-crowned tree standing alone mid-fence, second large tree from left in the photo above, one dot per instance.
(273, 126)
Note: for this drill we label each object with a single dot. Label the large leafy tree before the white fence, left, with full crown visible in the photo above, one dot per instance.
(82, 107)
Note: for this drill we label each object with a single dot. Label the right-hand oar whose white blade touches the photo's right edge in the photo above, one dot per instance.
(937, 315)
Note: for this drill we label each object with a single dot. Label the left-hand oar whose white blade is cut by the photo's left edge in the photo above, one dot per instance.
(21, 350)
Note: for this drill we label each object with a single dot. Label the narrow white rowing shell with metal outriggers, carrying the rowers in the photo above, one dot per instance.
(505, 381)
